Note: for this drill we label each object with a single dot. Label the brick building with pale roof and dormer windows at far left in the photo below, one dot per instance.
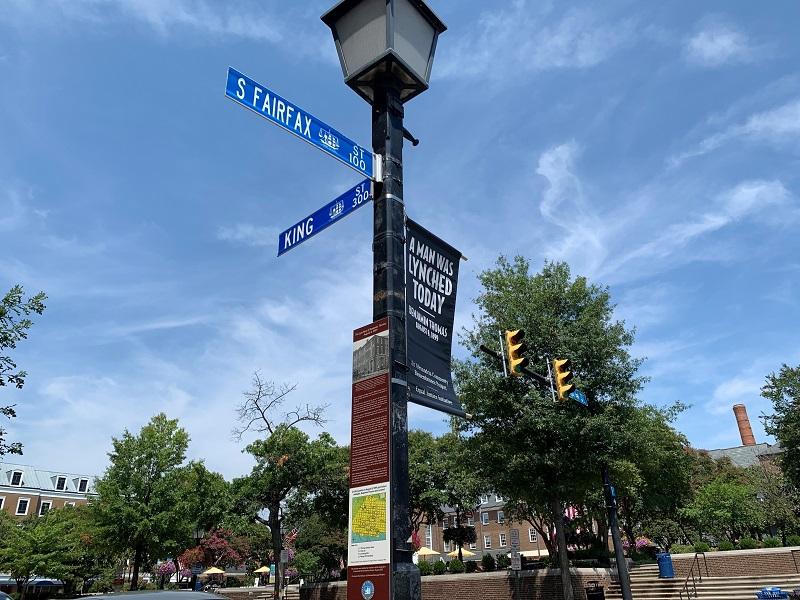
(25, 490)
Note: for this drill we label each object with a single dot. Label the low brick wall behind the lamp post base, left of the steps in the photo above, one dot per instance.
(531, 585)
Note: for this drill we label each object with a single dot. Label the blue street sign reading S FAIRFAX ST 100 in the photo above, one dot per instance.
(260, 99)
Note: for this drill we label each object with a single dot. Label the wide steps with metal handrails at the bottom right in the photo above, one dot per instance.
(645, 585)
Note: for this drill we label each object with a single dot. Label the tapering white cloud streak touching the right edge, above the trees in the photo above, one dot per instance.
(777, 125)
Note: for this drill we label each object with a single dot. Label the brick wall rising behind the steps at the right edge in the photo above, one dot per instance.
(767, 561)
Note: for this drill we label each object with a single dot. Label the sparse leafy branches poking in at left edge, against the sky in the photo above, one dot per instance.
(14, 325)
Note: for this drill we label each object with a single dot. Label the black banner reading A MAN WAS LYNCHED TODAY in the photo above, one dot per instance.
(431, 281)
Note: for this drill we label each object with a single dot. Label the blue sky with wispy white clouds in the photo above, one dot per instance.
(655, 147)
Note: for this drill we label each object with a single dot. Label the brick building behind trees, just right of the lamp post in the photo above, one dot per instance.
(492, 530)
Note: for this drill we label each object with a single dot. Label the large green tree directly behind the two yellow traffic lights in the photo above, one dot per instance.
(536, 451)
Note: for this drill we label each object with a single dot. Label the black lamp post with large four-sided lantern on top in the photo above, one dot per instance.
(386, 50)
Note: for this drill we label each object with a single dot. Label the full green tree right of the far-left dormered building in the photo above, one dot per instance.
(140, 507)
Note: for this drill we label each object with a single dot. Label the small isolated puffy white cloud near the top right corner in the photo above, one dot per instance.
(719, 44)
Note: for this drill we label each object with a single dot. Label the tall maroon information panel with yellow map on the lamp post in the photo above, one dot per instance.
(369, 531)
